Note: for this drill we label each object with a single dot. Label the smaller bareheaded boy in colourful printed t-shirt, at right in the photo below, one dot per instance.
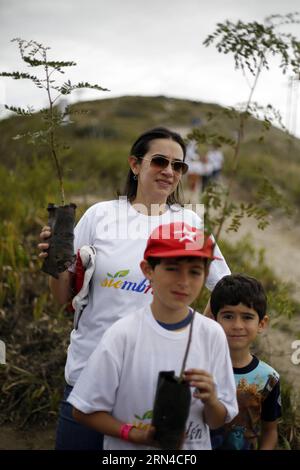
(239, 305)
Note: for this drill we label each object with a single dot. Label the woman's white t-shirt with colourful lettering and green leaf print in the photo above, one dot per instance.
(119, 234)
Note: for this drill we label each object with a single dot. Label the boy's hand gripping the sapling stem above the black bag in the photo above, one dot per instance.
(204, 384)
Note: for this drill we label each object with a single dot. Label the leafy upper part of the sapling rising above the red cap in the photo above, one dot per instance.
(252, 46)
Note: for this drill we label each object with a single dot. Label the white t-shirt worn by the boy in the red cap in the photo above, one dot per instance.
(121, 374)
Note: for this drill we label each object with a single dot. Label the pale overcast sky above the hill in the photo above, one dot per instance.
(140, 47)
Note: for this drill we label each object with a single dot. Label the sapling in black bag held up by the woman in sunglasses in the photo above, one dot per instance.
(61, 217)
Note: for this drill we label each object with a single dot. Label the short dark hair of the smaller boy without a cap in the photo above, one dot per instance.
(239, 289)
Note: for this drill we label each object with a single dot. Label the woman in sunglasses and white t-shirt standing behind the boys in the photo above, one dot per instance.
(118, 231)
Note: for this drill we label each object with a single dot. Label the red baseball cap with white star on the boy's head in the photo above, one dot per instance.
(179, 239)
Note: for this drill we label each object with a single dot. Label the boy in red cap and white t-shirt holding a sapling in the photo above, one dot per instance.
(115, 392)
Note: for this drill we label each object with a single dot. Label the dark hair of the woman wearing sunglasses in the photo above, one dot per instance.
(140, 148)
